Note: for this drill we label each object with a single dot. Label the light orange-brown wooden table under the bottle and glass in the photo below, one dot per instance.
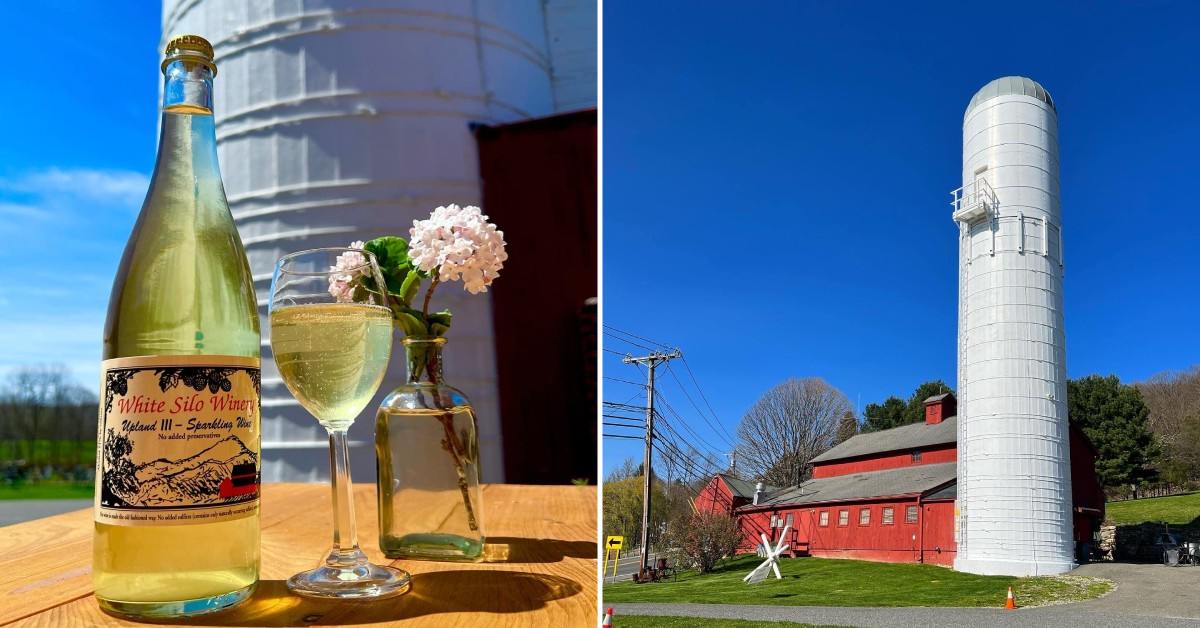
(543, 572)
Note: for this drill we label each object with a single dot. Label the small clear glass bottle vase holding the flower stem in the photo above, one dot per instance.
(428, 465)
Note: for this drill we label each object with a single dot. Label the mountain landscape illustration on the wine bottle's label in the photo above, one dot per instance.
(225, 473)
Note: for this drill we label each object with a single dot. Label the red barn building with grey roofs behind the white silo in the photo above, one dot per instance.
(884, 497)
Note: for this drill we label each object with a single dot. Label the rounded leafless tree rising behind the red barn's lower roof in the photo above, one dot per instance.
(789, 427)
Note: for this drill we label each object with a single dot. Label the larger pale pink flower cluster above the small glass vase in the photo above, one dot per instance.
(459, 244)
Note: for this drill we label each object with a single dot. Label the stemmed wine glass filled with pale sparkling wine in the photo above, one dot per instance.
(332, 339)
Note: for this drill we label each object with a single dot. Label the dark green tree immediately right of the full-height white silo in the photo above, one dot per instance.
(1117, 421)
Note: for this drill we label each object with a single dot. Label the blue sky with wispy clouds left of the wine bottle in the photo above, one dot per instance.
(79, 122)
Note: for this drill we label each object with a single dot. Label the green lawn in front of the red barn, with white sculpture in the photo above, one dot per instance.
(833, 583)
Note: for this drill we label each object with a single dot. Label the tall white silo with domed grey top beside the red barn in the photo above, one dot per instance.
(1015, 505)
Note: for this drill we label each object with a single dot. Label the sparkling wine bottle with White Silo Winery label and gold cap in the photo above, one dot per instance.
(178, 448)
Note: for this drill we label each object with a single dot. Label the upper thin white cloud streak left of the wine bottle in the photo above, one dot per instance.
(127, 188)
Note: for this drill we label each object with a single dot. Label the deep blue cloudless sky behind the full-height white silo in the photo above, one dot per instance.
(776, 189)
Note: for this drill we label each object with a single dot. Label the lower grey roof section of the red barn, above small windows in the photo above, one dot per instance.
(904, 481)
